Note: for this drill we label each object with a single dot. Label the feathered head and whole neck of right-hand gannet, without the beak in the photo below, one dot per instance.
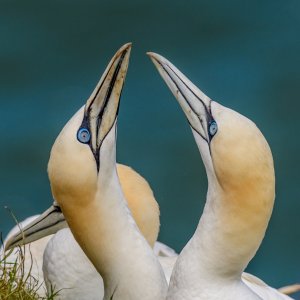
(240, 197)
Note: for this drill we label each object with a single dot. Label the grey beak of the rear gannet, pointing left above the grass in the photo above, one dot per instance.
(47, 223)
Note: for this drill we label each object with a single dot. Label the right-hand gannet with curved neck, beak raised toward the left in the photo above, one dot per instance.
(240, 197)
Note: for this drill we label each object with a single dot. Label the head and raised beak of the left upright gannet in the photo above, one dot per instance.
(74, 162)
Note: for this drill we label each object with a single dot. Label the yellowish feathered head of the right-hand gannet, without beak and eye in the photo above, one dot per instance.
(243, 164)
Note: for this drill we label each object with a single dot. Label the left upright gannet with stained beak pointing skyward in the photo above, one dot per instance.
(85, 185)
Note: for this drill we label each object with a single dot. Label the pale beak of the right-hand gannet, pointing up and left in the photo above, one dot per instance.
(195, 104)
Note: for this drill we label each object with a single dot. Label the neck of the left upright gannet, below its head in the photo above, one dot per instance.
(111, 239)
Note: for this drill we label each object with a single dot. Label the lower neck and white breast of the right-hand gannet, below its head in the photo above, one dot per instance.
(211, 264)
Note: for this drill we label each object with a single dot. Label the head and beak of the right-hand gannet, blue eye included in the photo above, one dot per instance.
(235, 153)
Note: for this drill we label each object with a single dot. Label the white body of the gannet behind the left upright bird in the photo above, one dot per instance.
(68, 269)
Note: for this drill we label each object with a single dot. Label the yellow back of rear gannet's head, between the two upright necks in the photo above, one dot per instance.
(141, 202)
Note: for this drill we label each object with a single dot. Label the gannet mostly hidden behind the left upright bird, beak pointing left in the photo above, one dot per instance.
(65, 266)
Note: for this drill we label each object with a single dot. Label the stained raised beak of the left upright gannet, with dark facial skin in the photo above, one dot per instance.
(101, 108)
